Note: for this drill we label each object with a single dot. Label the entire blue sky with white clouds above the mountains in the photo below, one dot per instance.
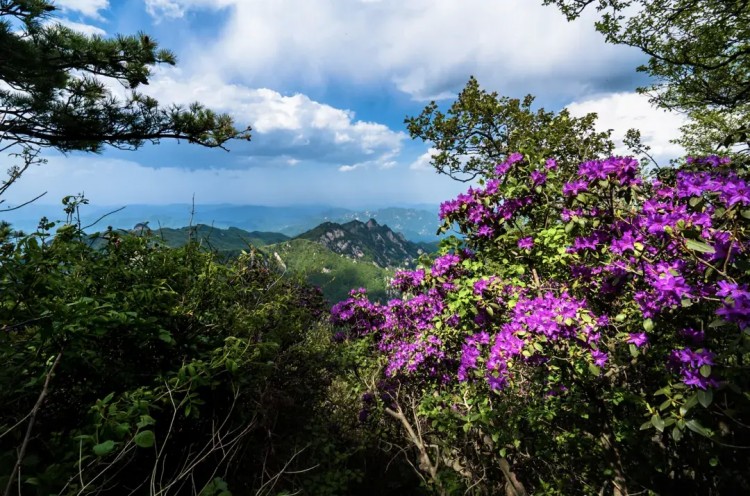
(326, 85)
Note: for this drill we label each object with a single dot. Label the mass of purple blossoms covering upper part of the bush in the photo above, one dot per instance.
(640, 250)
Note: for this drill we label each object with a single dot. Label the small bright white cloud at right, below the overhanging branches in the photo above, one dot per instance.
(623, 111)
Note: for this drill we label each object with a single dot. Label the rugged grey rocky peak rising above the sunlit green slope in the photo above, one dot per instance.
(365, 241)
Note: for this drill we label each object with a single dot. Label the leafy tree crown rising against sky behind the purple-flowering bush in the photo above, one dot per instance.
(481, 129)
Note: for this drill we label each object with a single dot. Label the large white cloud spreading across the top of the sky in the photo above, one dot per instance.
(425, 48)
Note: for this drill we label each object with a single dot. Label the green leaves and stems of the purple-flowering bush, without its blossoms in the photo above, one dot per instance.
(564, 424)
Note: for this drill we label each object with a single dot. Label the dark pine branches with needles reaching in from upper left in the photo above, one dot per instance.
(55, 94)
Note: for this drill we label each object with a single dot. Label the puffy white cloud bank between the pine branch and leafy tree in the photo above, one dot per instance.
(291, 126)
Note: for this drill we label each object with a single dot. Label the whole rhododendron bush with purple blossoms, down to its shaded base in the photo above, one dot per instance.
(587, 334)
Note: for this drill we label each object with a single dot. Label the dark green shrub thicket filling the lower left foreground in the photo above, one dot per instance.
(150, 365)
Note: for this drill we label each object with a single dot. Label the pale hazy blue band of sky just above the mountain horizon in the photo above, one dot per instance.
(117, 182)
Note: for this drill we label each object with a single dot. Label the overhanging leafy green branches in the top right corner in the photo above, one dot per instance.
(699, 58)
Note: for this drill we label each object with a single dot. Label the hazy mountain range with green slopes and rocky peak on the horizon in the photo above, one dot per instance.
(334, 248)
